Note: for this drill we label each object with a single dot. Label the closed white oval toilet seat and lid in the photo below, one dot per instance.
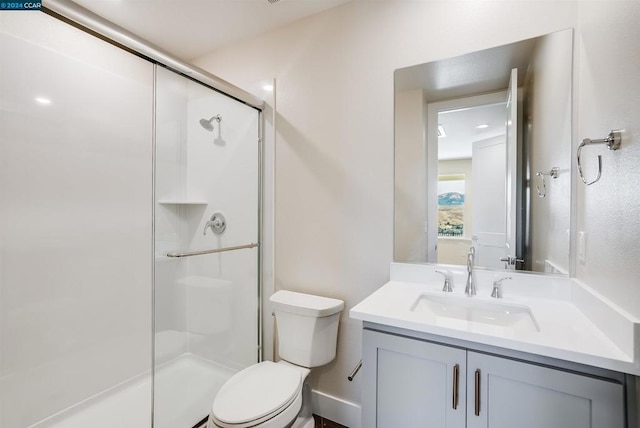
(258, 393)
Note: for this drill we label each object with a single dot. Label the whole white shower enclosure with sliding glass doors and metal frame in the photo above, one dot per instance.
(129, 233)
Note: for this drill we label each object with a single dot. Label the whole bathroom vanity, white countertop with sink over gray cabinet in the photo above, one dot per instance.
(550, 353)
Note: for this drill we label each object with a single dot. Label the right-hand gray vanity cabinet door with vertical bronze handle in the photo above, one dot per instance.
(517, 394)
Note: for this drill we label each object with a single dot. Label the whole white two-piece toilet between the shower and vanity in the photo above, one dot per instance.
(274, 395)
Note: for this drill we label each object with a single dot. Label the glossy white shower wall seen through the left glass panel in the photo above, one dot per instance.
(76, 218)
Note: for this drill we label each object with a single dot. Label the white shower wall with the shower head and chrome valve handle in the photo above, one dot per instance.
(222, 289)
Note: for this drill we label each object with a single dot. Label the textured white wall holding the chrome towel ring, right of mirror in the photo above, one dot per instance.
(608, 66)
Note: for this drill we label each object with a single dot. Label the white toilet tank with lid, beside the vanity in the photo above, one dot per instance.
(307, 327)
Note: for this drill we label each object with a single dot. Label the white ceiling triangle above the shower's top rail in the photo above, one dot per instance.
(189, 29)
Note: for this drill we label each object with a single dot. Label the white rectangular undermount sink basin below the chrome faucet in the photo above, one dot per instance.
(473, 314)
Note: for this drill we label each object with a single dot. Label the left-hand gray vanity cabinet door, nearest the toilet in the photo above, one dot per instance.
(411, 383)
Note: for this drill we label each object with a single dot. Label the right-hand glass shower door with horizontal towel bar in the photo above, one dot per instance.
(206, 255)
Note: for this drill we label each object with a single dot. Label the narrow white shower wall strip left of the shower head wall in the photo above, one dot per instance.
(171, 226)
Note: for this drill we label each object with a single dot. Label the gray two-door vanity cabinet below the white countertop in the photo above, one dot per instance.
(411, 382)
